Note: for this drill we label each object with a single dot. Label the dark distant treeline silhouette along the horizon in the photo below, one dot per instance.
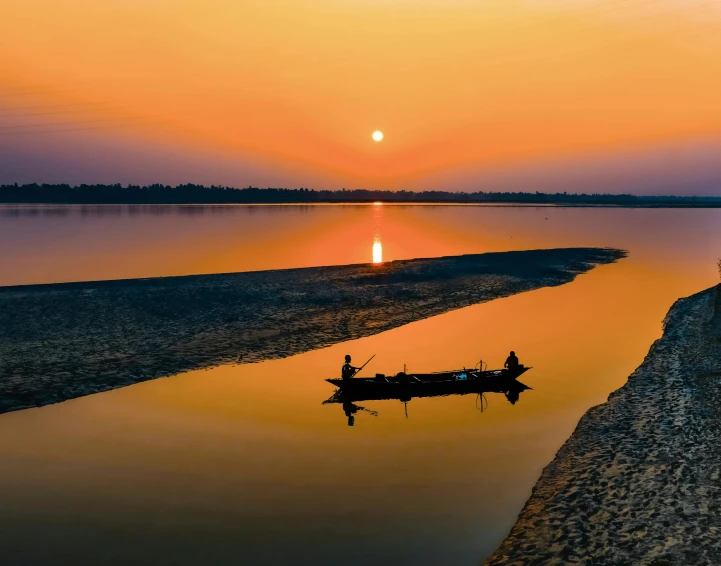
(199, 194)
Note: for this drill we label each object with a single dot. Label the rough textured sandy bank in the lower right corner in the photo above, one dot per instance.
(639, 481)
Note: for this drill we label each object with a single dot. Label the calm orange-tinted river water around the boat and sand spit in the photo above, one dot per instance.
(244, 465)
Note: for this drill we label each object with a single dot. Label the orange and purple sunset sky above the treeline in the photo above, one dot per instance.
(570, 95)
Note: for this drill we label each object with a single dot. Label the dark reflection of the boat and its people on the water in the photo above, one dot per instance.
(511, 388)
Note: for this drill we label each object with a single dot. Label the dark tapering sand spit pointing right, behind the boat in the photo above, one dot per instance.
(58, 342)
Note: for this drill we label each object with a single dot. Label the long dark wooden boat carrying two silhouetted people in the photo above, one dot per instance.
(405, 386)
